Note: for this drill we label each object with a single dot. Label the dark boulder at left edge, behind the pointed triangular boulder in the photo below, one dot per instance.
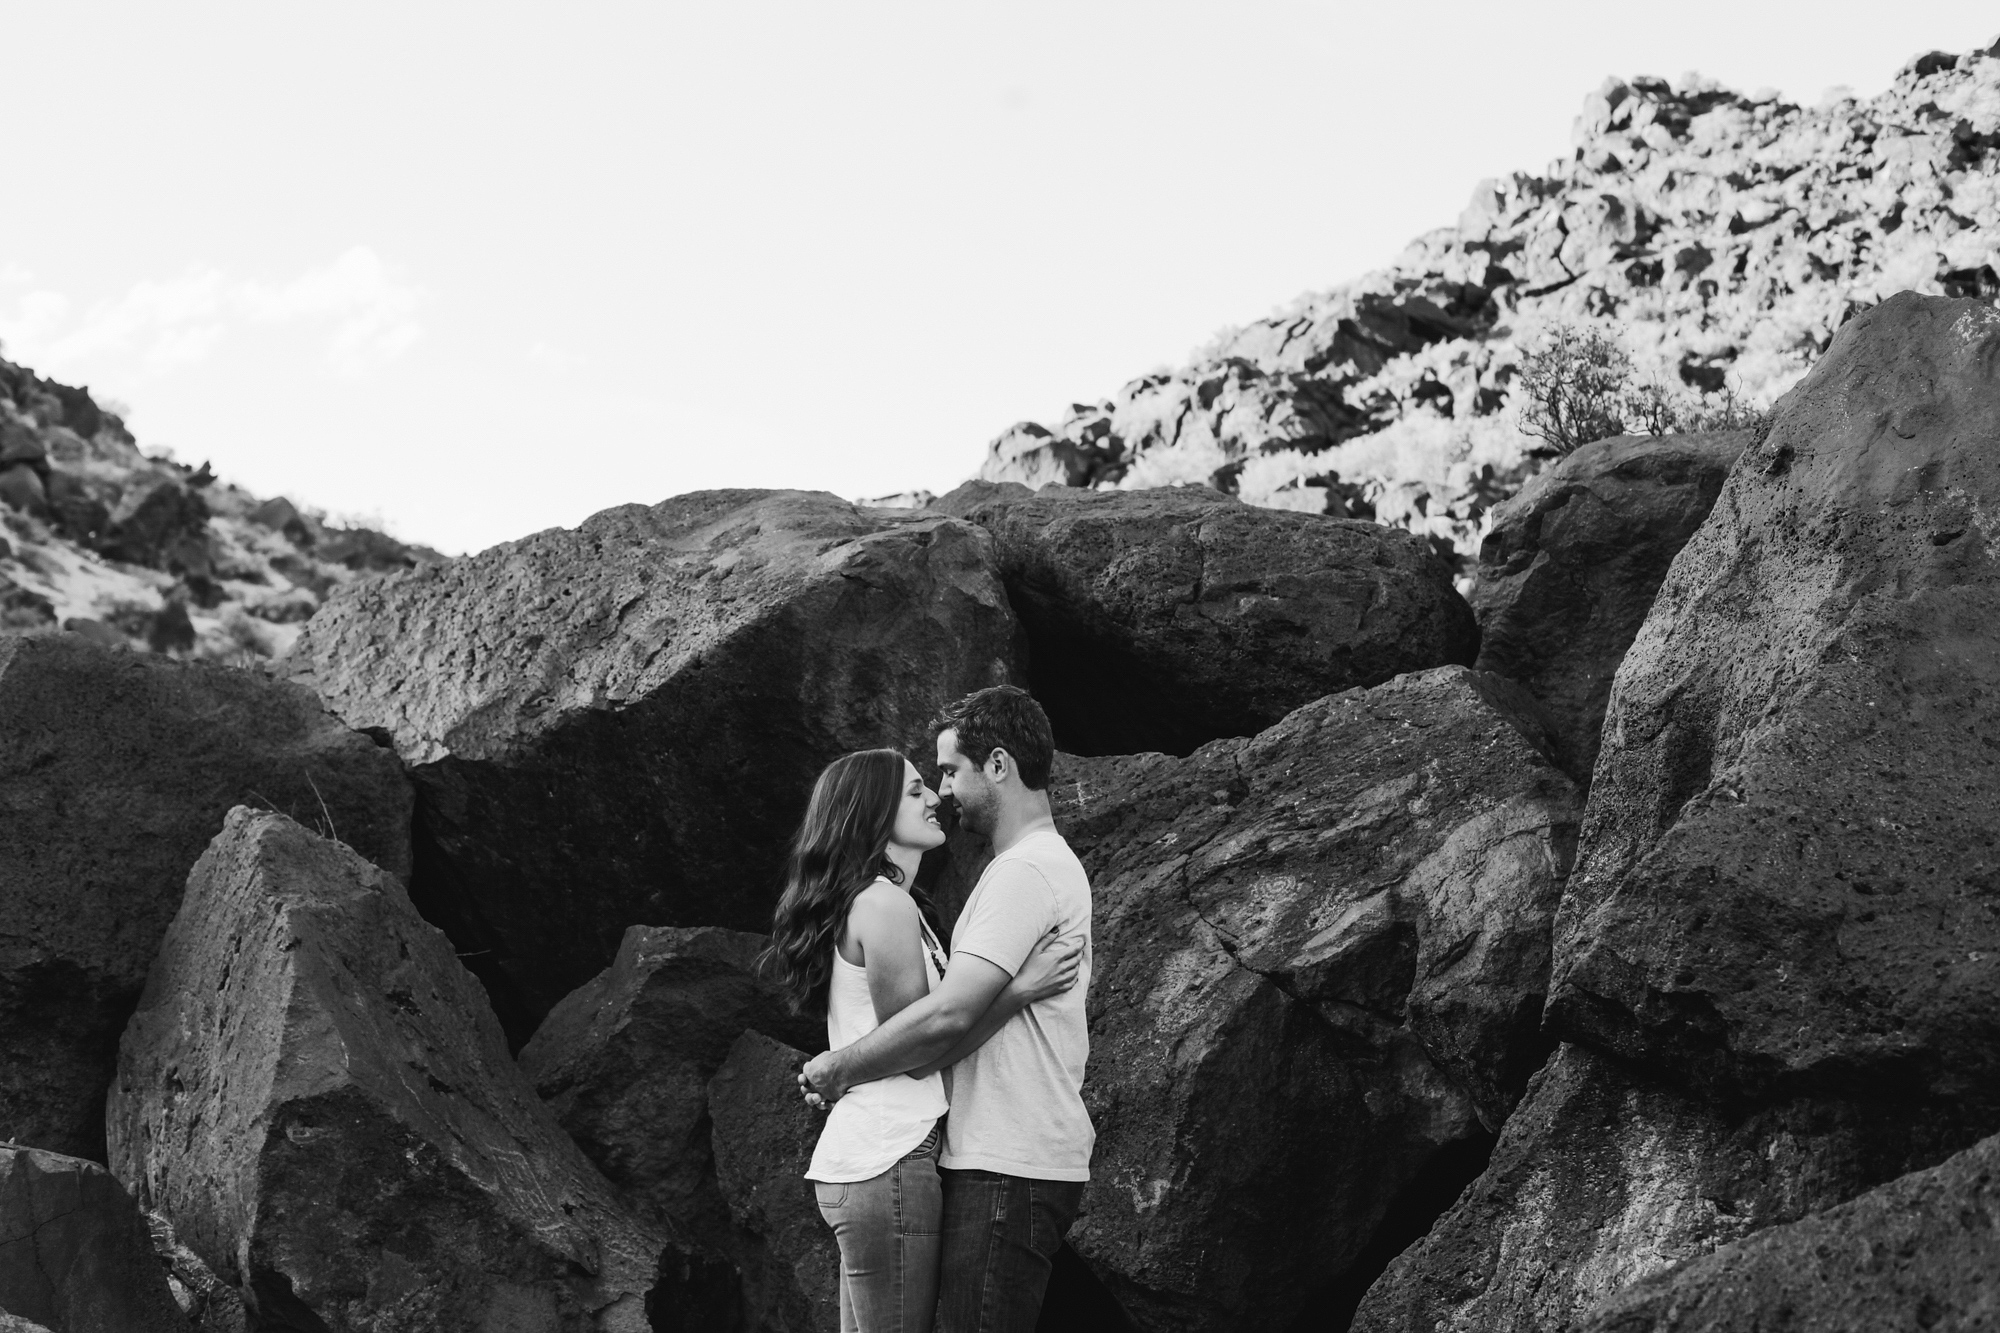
(115, 772)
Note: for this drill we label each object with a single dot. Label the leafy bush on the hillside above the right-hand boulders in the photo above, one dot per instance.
(1579, 387)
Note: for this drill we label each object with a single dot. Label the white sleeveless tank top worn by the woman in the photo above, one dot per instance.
(877, 1124)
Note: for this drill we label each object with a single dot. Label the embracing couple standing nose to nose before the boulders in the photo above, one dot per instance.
(957, 1146)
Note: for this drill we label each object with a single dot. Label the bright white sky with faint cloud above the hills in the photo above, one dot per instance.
(479, 269)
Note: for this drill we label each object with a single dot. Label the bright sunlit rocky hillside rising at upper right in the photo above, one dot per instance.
(1721, 237)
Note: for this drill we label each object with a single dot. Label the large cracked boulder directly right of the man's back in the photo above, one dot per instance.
(1319, 964)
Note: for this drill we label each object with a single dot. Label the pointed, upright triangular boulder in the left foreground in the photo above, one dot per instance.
(317, 1098)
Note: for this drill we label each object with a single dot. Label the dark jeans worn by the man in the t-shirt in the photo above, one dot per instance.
(1001, 1236)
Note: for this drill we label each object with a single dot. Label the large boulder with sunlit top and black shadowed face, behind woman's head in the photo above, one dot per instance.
(621, 724)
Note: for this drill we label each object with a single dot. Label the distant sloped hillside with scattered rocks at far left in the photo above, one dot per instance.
(149, 553)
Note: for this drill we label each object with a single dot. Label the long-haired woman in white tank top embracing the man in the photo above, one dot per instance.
(851, 942)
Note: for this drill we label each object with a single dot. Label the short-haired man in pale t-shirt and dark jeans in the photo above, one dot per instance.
(1017, 1144)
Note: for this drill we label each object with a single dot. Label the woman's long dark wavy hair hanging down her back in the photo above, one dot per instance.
(839, 850)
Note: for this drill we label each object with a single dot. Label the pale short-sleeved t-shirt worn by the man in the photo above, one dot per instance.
(1017, 1102)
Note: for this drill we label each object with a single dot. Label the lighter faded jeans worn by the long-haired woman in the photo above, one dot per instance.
(889, 1232)
